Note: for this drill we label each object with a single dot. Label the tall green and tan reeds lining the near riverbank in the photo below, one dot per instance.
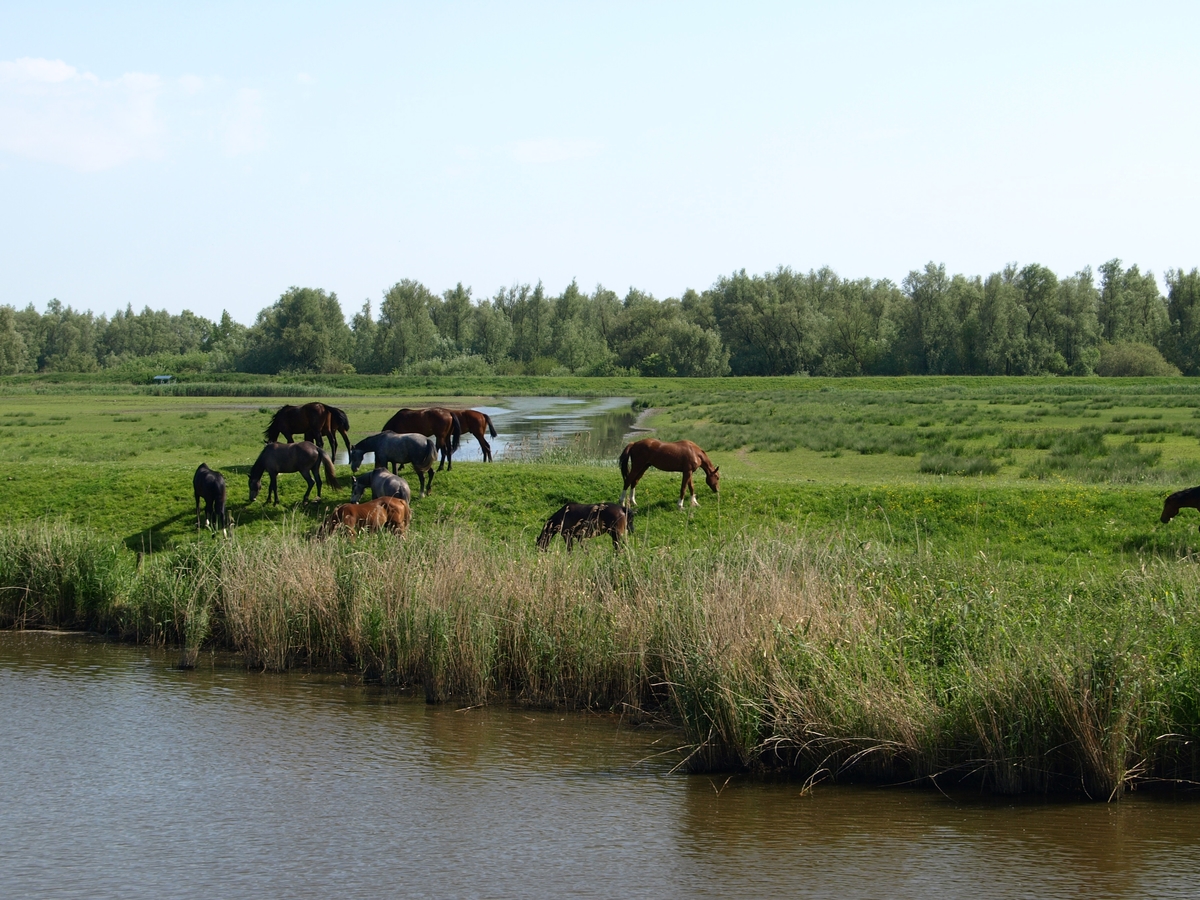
(773, 651)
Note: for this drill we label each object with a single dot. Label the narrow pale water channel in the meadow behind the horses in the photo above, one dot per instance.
(529, 427)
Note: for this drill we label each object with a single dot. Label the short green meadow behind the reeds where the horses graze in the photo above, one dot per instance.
(1043, 471)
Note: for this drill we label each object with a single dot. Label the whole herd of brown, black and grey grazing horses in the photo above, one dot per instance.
(424, 437)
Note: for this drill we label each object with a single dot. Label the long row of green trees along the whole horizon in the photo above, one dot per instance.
(1019, 321)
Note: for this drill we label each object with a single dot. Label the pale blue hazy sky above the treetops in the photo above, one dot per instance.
(209, 157)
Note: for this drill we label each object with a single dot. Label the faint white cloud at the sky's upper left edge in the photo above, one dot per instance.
(53, 113)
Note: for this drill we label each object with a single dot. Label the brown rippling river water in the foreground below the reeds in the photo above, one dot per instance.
(124, 777)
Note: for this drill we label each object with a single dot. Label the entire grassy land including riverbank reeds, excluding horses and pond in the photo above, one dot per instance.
(901, 579)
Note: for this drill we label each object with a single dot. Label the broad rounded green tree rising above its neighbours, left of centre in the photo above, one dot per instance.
(303, 332)
